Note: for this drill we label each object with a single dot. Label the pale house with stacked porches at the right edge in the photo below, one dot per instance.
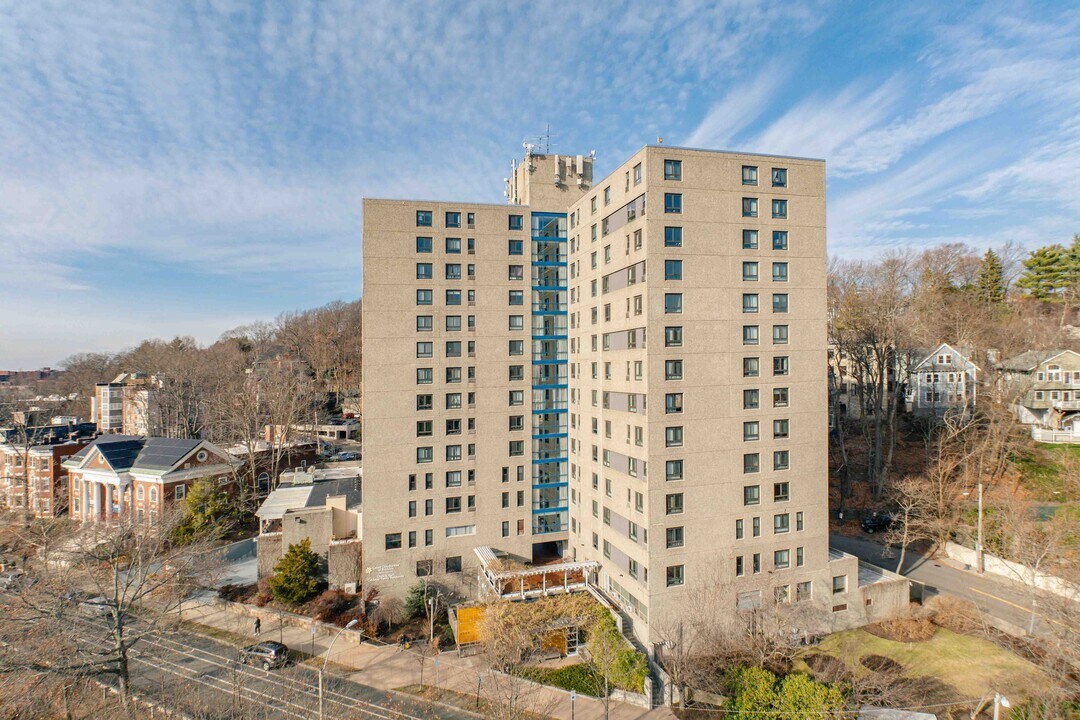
(1046, 385)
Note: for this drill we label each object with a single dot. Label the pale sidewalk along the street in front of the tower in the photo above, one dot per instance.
(388, 668)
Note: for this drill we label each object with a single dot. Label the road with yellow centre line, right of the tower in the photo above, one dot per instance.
(996, 596)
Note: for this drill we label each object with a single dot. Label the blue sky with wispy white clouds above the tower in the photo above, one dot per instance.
(185, 168)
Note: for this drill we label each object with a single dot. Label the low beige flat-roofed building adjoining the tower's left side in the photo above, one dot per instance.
(323, 506)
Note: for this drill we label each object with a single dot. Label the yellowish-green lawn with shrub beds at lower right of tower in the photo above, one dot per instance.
(974, 667)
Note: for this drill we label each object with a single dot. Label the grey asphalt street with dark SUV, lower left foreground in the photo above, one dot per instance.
(168, 663)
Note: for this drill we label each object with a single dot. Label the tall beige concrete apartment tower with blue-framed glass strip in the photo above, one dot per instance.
(631, 372)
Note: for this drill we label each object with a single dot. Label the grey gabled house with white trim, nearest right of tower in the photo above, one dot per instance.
(943, 381)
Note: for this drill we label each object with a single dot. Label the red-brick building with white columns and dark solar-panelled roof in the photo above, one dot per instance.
(119, 476)
